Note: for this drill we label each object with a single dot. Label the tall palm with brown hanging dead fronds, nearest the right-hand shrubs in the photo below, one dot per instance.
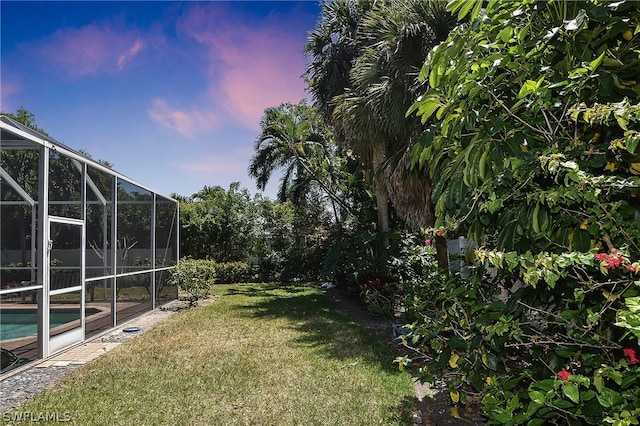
(401, 33)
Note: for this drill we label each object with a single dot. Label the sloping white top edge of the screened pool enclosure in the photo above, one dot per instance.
(14, 134)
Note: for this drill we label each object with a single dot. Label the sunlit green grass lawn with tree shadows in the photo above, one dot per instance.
(259, 355)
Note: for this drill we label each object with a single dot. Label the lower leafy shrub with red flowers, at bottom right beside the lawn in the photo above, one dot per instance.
(531, 363)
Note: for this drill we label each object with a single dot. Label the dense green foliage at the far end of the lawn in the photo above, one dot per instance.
(281, 241)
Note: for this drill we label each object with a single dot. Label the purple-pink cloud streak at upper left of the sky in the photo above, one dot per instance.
(92, 49)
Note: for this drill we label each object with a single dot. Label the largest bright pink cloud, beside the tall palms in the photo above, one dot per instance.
(252, 67)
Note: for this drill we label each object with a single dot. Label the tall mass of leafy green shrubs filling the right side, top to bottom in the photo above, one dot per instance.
(532, 121)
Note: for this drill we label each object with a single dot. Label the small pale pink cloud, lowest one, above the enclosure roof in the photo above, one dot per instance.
(187, 123)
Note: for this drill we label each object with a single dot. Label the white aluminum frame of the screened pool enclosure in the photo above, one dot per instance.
(40, 258)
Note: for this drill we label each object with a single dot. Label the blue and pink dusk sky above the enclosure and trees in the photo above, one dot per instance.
(170, 93)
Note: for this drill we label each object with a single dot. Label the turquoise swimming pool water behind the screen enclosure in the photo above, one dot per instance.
(16, 323)
